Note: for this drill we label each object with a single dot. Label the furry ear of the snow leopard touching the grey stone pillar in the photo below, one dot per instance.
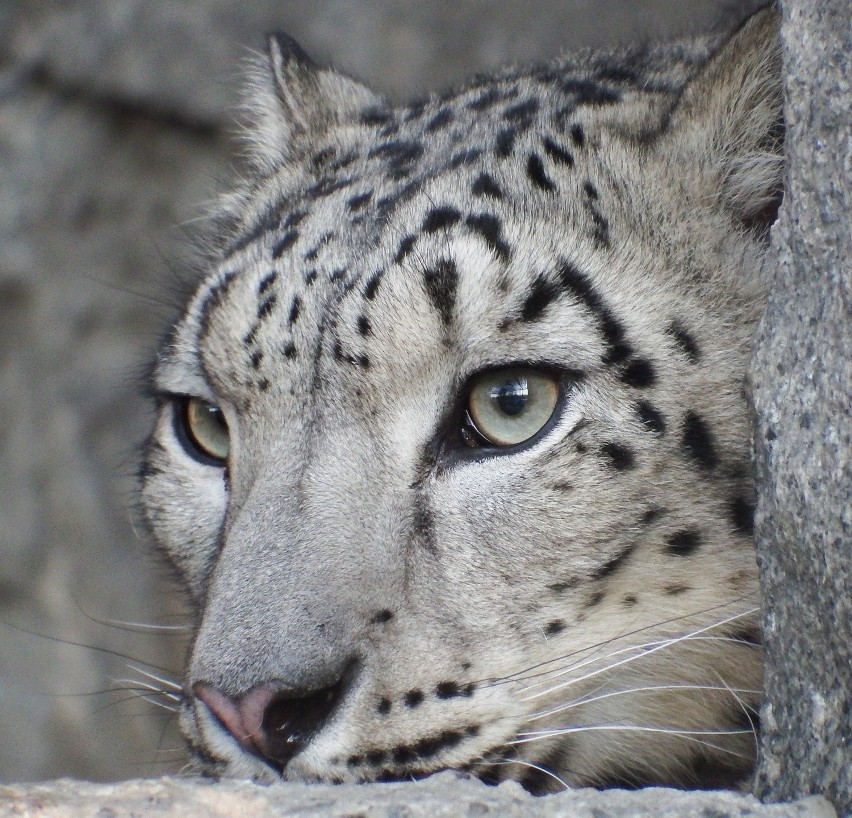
(728, 125)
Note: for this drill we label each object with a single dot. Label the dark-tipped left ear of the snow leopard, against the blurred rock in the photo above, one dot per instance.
(291, 101)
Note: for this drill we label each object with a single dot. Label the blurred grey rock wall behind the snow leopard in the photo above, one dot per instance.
(115, 118)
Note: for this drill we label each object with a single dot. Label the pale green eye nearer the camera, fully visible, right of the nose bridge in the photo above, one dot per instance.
(509, 406)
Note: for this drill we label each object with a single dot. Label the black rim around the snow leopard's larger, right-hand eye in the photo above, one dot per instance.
(463, 441)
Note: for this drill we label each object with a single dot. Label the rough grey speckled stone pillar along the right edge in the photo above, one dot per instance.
(803, 393)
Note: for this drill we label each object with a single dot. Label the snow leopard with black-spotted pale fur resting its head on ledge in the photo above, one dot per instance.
(452, 448)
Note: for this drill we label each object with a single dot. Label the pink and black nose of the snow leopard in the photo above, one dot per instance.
(269, 720)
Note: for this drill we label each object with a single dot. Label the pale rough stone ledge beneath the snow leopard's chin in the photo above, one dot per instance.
(441, 795)
